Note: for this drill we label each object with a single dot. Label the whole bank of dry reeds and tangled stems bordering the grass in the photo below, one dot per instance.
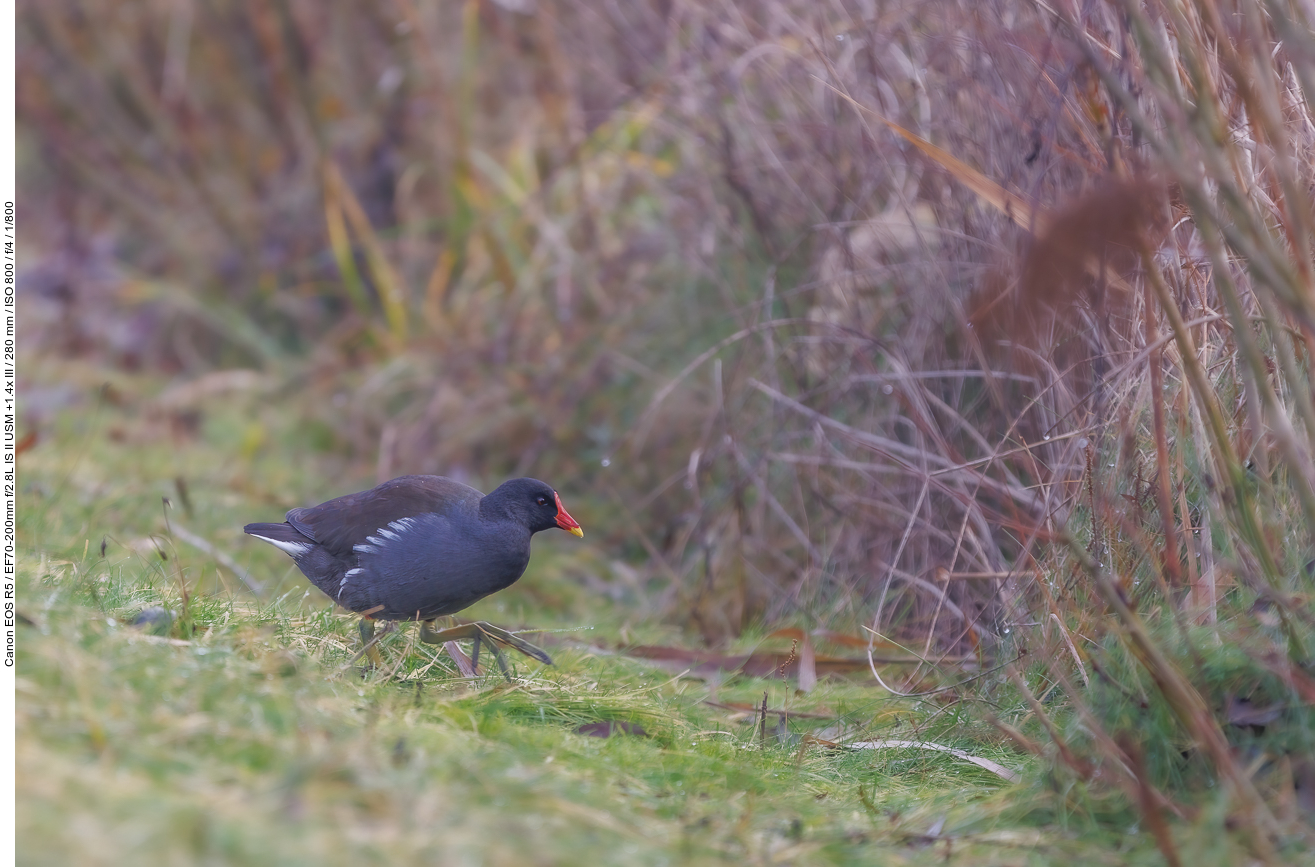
(983, 327)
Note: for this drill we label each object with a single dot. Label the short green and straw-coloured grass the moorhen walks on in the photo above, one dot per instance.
(243, 733)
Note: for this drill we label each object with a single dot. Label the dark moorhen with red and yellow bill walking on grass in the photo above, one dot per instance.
(419, 548)
